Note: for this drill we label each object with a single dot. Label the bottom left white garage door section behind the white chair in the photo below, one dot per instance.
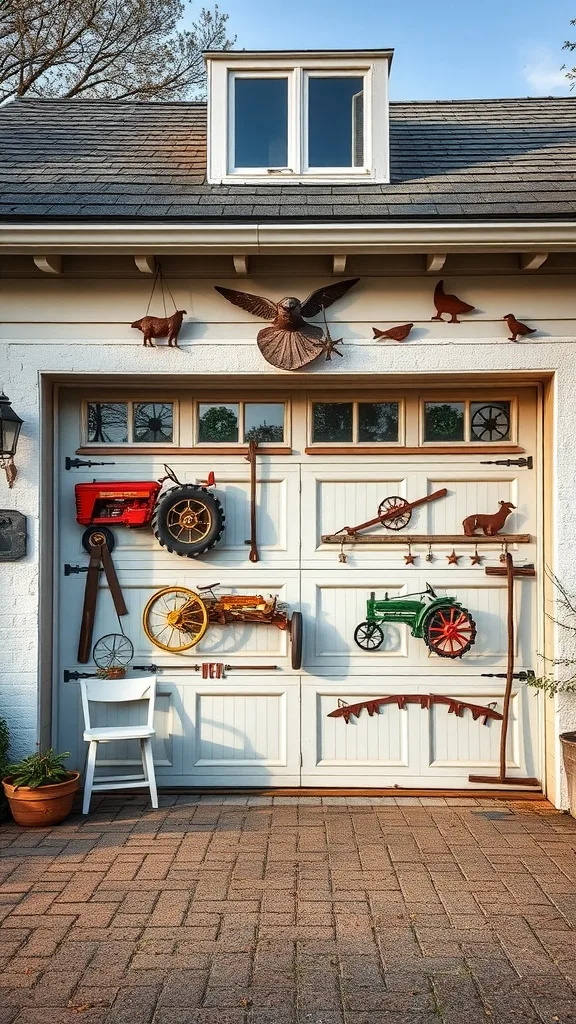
(214, 734)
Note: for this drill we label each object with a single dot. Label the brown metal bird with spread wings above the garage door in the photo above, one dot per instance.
(291, 343)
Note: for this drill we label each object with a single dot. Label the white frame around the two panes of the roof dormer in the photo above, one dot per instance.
(225, 69)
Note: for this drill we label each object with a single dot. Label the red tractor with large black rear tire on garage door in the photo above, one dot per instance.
(186, 519)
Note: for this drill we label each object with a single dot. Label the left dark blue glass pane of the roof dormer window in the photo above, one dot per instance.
(261, 122)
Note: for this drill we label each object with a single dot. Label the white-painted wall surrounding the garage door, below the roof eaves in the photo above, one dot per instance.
(81, 327)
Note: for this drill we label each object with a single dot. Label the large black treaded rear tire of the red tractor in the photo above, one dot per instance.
(204, 504)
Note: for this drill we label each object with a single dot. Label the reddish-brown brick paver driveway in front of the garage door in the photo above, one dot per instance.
(244, 911)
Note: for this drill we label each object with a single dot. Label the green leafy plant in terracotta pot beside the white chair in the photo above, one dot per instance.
(40, 789)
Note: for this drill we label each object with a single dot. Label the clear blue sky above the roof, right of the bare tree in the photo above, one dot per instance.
(443, 51)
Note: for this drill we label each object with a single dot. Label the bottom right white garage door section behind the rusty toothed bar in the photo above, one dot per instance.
(413, 747)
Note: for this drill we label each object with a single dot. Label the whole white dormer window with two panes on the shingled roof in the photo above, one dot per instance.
(299, 116)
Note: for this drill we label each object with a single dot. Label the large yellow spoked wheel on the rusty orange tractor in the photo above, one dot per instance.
(176, 619)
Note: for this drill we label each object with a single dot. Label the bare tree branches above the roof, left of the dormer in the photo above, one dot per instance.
(106, 49)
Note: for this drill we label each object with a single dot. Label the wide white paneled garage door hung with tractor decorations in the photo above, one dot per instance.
(266, 723)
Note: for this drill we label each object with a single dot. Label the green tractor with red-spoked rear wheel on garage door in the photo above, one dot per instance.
(446, 627)
